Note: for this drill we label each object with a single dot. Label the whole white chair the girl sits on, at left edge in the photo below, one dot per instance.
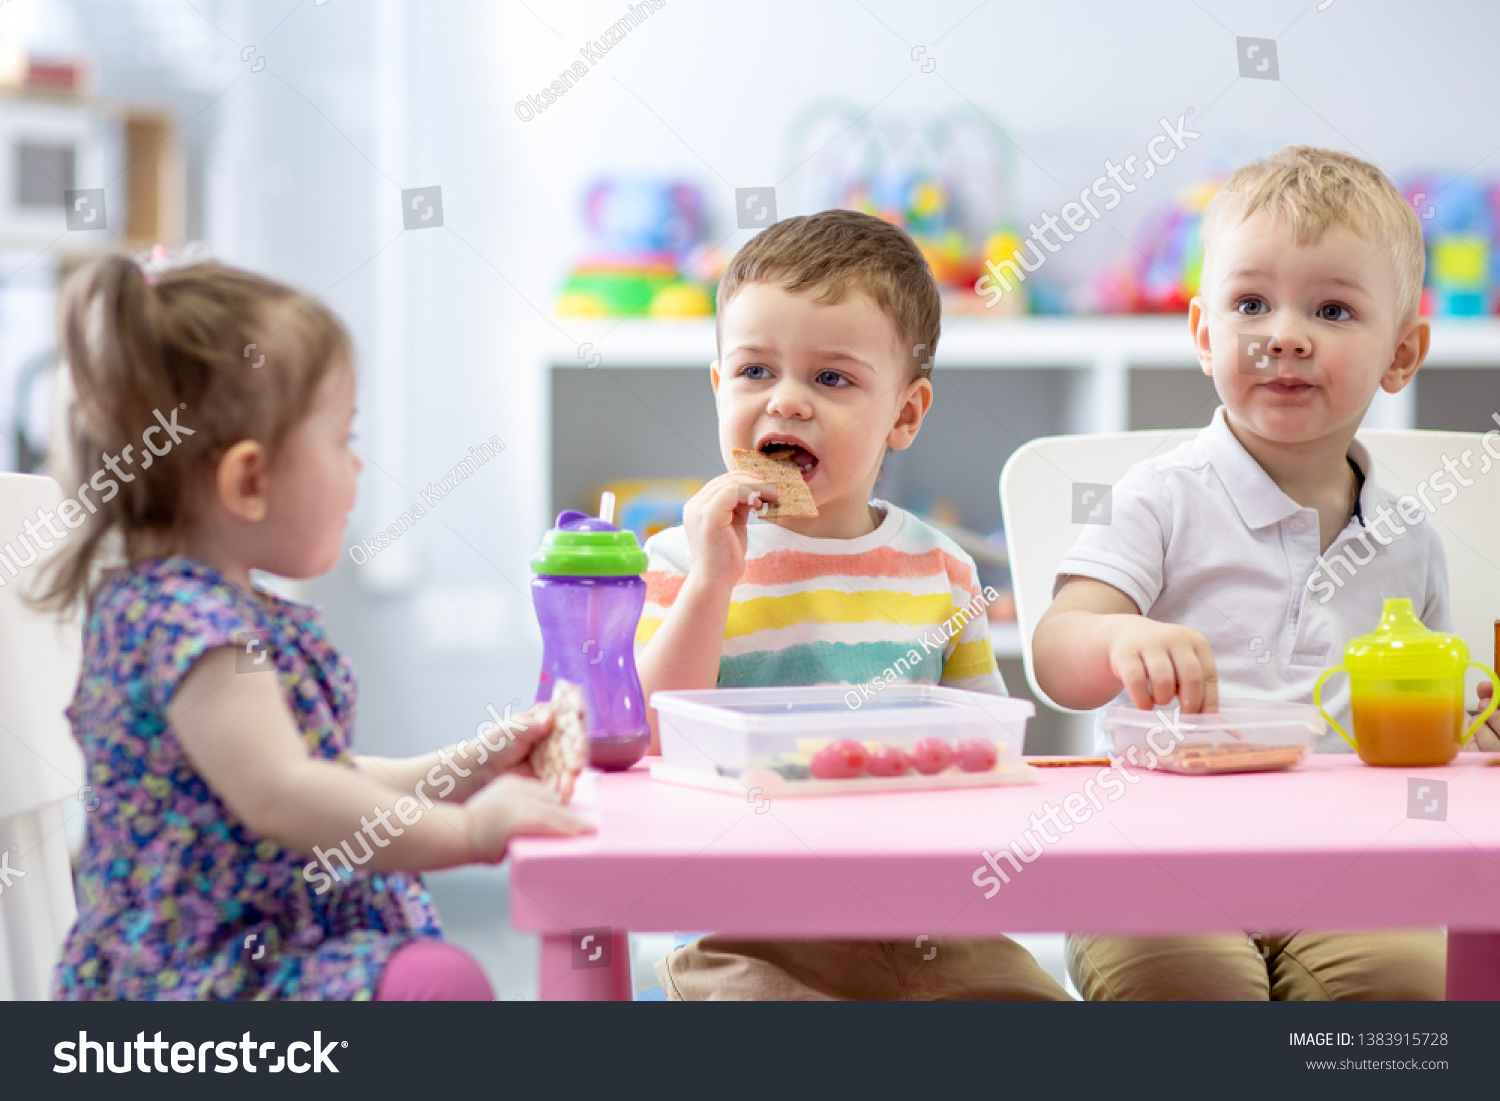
(41, 769)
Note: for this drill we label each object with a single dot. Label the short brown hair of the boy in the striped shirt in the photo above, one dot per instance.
(838, 251)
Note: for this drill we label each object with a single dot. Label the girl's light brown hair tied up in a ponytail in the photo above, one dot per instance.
(191, 347)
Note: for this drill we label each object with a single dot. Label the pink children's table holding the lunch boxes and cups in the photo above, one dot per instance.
(1325, 847)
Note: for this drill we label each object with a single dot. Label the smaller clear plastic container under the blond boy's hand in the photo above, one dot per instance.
(1247, 736)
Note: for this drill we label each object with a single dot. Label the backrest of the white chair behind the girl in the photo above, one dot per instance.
(40, 761)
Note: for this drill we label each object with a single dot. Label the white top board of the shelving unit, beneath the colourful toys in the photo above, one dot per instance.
(1156, 341)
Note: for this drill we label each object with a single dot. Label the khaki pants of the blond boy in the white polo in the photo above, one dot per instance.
(1400, 967)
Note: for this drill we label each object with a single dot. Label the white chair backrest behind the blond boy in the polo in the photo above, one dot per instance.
(1037, 499)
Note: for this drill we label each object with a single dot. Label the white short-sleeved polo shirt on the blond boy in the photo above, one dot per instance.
(1204, 538)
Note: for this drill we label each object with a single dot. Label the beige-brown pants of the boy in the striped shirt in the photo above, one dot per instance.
(821, 971)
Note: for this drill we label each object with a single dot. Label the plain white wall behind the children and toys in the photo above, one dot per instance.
(362, 100)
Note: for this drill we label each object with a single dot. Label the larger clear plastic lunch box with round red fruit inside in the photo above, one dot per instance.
(730, 731)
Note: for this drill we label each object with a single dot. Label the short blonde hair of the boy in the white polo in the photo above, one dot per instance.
(1315, 190)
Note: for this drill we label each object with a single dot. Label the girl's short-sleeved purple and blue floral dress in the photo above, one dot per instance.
(178, 899)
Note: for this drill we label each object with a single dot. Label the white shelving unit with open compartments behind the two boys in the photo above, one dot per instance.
(646, 407)
